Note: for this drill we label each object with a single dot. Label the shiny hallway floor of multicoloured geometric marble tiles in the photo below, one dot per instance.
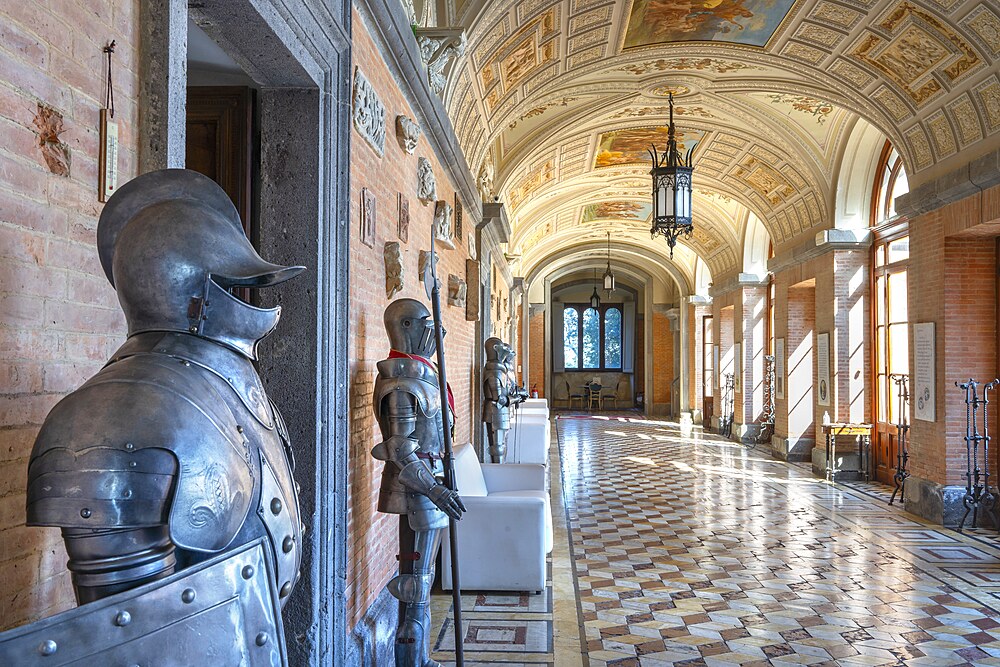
(688, 550)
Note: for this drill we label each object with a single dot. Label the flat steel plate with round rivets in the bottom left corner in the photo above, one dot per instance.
(226, 608)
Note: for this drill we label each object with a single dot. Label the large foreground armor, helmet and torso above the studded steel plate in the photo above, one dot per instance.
(173, 452)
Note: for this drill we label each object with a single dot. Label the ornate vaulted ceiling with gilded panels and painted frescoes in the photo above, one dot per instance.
(561, 98)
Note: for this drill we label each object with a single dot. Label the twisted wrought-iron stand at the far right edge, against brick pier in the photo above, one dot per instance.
(977, 479)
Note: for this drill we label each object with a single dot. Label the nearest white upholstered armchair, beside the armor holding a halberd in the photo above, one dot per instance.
(506, 532)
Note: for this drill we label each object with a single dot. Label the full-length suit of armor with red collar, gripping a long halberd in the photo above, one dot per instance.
(407, 405)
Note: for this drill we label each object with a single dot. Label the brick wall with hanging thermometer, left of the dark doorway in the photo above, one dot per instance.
(59, 318)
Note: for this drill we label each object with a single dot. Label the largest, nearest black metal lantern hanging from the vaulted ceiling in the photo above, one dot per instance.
(671, 189)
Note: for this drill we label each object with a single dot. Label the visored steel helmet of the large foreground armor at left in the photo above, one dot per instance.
(172, 245)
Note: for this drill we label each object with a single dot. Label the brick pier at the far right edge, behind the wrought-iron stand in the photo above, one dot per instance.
(956, 290)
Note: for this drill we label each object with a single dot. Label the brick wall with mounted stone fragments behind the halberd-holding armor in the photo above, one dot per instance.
(372, 559)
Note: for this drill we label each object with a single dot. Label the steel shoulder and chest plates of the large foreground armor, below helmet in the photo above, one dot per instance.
(97, 461)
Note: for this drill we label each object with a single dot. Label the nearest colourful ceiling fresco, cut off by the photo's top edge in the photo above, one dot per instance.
(750, 22)
